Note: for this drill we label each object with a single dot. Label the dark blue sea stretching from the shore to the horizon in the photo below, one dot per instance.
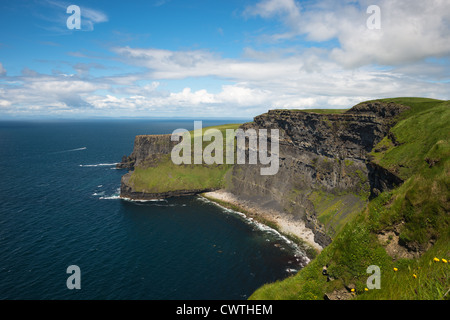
(59, 206)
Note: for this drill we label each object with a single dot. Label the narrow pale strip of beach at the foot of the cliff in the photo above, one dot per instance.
(285, 224)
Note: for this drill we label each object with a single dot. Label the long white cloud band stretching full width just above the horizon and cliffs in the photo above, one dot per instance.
(253, 85)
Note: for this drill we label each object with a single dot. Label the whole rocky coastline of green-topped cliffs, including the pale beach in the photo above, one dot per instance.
(369, 185)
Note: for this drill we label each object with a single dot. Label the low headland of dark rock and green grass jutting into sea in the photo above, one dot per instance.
(156, 176)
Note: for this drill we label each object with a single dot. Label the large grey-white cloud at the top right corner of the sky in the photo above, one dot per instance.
(411, 30)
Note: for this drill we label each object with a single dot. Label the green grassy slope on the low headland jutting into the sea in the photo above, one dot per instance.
(166, 176)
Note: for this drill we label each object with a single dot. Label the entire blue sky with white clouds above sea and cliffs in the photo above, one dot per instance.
(217, 58)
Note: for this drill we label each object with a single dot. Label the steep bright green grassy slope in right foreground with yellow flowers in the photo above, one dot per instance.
(421, 155)
